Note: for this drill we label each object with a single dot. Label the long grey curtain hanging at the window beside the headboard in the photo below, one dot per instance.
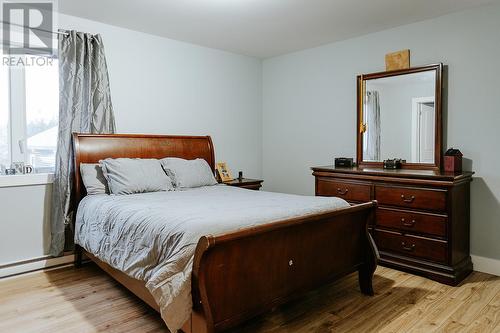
(84, 107)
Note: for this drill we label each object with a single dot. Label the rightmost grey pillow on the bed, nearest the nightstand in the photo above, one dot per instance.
(188, 173)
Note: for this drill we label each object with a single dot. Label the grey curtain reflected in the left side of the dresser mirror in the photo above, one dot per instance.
(371, 143)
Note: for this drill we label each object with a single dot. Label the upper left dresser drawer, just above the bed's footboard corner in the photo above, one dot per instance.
(345, 190)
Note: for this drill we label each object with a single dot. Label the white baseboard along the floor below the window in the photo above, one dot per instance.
(34, 265)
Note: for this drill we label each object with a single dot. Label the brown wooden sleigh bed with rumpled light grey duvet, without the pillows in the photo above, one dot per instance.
(248, 264)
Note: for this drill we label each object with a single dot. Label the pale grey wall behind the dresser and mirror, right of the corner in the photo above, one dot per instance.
(309, 105)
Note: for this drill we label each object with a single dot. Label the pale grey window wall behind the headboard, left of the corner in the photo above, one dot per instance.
(157, 86)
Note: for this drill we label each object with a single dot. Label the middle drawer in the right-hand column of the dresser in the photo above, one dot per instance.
(430, 224)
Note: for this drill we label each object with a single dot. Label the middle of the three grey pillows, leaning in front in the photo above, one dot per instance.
(135, 175)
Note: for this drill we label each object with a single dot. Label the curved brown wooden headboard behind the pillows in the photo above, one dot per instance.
(90, 148)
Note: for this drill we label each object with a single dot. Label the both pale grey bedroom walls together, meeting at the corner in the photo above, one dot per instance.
(164, 86)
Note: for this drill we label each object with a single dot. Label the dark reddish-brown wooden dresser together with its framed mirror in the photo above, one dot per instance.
(423, 217)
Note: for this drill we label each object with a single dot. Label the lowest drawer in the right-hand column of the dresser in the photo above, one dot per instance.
(419, 247)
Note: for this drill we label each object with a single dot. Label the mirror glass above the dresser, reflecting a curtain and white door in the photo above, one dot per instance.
(399, 118)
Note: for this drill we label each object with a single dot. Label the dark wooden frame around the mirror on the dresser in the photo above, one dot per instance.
(438, 145)
